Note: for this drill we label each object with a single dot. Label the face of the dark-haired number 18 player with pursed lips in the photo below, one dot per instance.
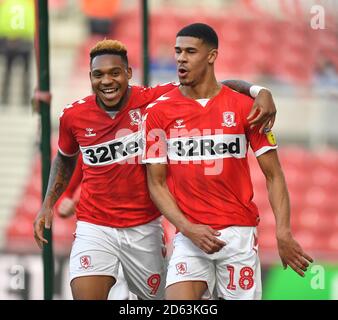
(193, 58)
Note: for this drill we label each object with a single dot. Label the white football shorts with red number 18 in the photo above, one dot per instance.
(232, 273)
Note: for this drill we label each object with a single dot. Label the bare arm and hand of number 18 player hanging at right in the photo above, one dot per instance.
(290, 251)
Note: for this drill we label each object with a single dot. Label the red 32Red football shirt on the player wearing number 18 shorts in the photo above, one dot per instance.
(205, 144)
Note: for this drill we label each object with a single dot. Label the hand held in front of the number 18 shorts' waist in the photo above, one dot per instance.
(205, 238)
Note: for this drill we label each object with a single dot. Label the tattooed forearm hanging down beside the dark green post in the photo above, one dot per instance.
(60, 175)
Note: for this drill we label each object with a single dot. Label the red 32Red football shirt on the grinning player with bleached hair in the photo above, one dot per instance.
(113, 190)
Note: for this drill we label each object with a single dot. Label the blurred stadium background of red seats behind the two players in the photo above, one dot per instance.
(289, 46)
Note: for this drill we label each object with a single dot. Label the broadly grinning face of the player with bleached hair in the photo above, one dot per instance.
(109, 77)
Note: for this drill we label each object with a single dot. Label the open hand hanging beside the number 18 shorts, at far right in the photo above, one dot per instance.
(292, 254)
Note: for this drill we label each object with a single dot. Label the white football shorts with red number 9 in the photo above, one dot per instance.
(99, 250)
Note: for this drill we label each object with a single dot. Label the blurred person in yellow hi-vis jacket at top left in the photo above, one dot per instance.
(16, 34)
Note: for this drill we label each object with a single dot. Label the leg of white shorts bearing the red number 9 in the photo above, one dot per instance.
(143, 260)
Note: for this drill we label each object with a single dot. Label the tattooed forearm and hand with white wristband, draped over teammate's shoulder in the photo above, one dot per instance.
(263, 111)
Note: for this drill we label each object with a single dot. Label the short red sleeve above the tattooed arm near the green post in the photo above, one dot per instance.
(68, 146)
